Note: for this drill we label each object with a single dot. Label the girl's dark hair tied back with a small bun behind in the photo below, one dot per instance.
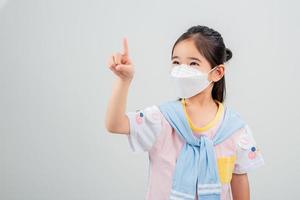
(211, 45)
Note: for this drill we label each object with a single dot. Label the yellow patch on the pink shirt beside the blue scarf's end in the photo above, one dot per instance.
(225, 168)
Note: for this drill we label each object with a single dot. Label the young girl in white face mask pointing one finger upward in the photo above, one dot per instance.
(198, 147)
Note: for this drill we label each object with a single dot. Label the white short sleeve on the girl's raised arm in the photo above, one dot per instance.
(145, 126)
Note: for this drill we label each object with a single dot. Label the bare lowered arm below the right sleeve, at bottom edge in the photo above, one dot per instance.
(240, 187)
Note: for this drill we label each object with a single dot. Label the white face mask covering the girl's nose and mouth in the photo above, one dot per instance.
(189, 81)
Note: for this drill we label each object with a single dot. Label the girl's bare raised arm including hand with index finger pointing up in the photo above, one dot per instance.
(116, 121)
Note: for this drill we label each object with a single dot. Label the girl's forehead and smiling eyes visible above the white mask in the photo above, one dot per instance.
(185, 52)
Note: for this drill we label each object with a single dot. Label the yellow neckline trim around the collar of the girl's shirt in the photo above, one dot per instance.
(207, 126)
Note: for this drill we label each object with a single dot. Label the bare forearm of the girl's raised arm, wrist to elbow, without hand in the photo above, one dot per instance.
(116, 120)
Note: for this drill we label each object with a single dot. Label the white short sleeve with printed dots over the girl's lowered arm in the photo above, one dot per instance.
(249, 155)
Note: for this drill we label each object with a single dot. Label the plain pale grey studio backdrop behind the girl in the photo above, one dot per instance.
(55, 88)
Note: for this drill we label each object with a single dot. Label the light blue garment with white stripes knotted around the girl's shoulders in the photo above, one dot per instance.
(196, 163)
